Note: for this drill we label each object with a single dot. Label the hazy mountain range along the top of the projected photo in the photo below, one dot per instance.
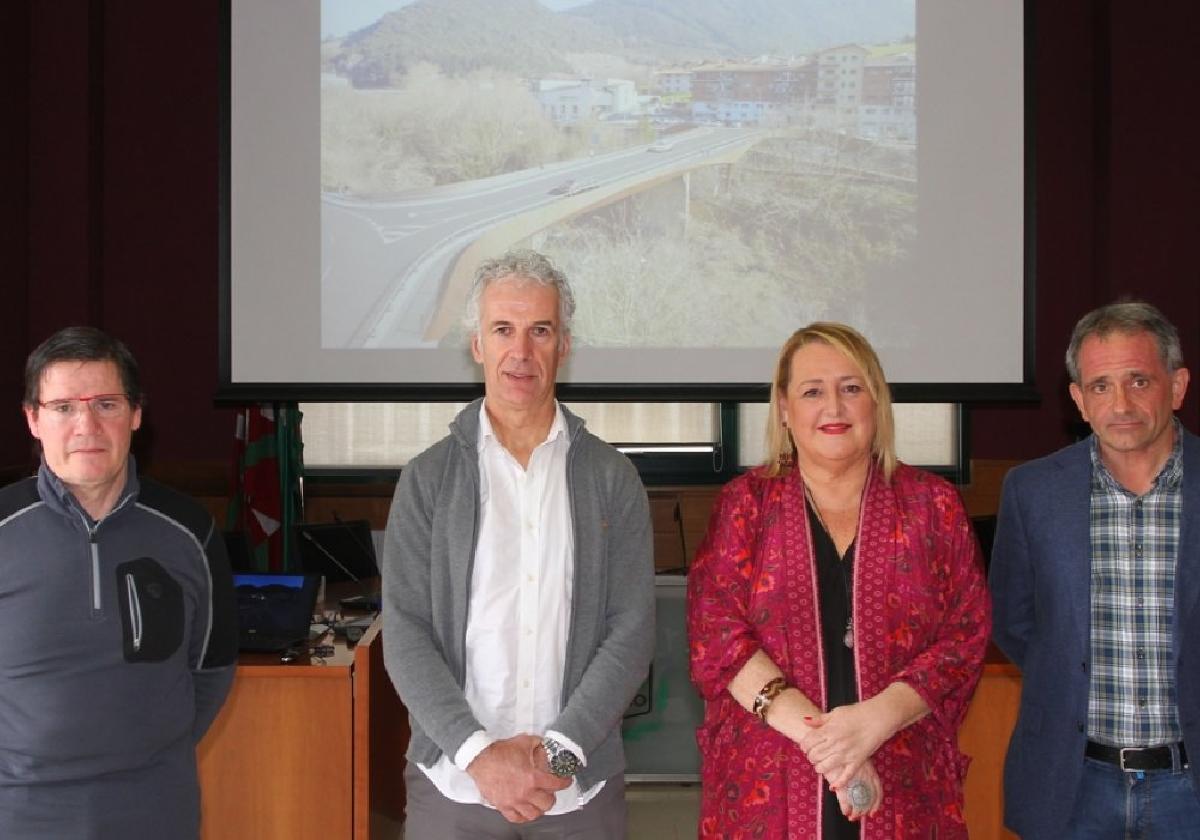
(526, 39)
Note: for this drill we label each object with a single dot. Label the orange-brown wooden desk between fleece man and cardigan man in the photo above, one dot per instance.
(305, 751)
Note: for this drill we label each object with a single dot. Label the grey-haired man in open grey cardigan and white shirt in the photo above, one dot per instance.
(519, 592)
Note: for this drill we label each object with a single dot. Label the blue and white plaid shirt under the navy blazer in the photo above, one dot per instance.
(1136, 542)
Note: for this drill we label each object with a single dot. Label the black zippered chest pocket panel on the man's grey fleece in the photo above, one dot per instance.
(152, 607)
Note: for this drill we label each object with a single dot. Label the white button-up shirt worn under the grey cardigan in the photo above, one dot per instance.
(520, 608)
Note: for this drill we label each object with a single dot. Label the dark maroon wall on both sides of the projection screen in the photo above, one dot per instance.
(109, 213)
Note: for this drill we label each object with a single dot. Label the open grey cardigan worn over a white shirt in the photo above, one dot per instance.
(429, 556)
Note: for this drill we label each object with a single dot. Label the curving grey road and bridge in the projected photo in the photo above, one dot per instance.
(385, 262)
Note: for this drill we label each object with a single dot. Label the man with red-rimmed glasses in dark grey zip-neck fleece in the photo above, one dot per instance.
(118, 615)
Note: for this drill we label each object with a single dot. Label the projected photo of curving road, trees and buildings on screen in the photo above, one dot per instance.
(709, 173)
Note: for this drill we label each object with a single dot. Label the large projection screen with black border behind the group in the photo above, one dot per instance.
(711, 175)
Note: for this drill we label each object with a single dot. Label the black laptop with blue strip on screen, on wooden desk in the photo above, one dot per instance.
(274, 610)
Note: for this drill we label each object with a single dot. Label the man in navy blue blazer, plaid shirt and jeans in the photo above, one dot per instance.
(1096, 581)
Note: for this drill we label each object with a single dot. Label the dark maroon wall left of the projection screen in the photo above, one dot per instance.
(115, 152)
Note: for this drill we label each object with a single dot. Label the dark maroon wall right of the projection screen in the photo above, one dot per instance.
(1118, 187)
